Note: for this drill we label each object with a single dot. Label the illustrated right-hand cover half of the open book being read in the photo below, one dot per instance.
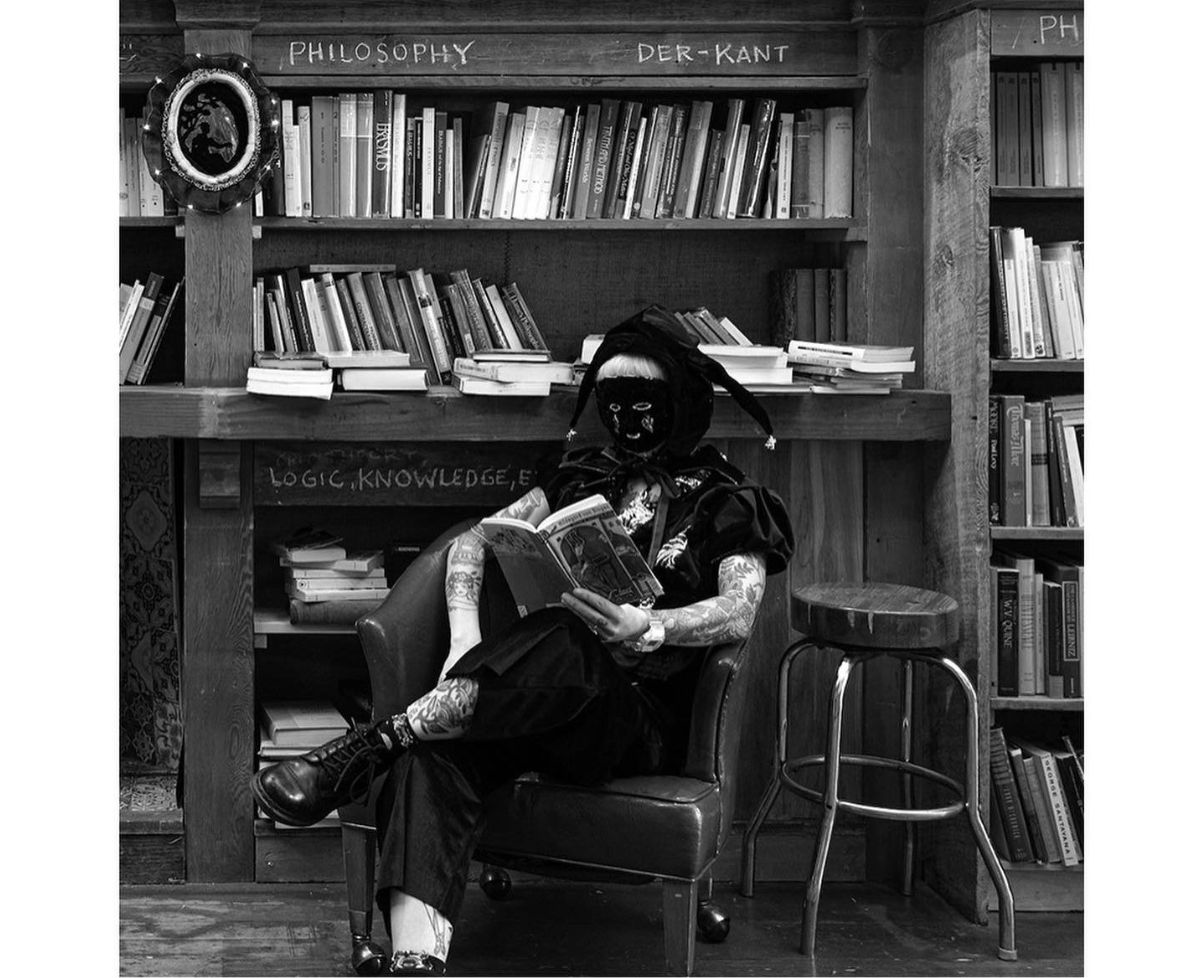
(595, 548)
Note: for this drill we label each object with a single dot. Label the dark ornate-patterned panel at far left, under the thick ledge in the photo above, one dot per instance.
(151, 719)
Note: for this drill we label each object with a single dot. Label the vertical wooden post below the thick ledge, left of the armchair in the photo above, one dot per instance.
(218, 680)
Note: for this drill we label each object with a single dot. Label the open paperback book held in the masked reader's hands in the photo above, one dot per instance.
(581, 545)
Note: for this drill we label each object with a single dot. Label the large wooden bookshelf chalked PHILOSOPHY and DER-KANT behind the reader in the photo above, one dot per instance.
(850, 469)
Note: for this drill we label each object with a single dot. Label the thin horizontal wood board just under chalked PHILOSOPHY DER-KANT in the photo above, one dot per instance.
(580, 85)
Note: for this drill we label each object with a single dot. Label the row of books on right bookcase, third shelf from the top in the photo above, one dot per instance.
(1036, 461)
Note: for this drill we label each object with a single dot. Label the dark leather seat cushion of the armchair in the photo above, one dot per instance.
(655, 825)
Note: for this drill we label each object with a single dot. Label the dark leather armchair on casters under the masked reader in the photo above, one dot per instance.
(629, 830)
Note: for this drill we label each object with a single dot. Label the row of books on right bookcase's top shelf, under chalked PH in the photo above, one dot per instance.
(1039, 127)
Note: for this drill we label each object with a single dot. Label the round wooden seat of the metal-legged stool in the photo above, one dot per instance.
(877, 616)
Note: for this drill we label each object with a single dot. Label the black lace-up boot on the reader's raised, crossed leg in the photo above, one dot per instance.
(304, 790)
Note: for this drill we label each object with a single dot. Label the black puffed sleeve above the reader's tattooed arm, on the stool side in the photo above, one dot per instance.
(747, 519)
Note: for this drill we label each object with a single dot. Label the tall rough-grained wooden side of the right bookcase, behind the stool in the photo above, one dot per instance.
(958, 142)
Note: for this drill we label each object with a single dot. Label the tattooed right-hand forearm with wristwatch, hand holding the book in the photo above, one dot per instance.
(727, 617)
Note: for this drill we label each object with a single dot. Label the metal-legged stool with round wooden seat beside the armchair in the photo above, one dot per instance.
(865, 622)
